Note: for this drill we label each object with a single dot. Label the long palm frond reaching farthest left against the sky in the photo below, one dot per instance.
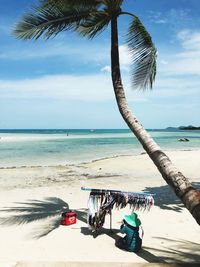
(52, 17)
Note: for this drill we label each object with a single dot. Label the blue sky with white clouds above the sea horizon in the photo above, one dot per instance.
(65, 82)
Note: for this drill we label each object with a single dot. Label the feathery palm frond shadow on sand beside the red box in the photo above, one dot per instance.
(48, 212)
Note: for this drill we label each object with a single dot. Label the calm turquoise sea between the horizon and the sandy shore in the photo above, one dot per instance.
(51, 147)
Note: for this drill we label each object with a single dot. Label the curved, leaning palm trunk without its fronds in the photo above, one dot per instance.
(182, 187)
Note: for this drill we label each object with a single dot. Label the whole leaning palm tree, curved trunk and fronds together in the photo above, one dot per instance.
(89, 18)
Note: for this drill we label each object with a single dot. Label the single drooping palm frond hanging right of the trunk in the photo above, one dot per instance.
(143, 54)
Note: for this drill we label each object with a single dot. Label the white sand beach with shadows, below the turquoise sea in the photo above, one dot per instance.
(33, 198)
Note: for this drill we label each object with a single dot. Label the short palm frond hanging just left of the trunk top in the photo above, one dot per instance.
(95, 24)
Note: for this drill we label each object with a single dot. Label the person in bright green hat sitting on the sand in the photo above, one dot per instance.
(131, 226)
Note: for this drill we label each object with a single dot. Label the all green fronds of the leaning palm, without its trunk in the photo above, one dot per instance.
(89, 18)
